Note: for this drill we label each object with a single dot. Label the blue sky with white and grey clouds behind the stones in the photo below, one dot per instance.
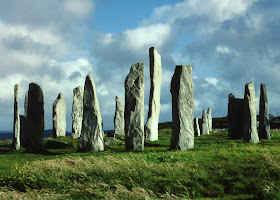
(56, 43)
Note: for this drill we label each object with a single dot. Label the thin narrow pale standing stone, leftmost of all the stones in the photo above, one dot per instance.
(16, 129)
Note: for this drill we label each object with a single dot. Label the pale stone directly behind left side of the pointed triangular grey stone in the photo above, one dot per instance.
(77, 111)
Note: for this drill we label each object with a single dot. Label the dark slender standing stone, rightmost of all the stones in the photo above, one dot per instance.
(264, 125)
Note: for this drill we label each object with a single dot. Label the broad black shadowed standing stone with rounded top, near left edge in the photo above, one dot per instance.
(34, 126)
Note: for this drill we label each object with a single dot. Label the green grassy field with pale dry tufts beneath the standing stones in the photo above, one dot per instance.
(217, 168)
